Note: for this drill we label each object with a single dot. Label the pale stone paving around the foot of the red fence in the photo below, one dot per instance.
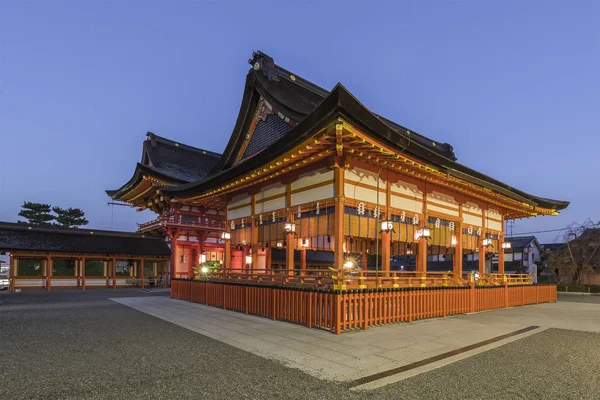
(357, 354)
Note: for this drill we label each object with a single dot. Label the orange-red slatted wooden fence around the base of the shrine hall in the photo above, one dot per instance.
(342, 311)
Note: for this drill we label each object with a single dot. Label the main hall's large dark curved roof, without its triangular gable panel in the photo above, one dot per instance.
(312, 107)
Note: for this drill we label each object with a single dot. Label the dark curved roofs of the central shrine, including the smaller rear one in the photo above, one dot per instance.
(280, 110)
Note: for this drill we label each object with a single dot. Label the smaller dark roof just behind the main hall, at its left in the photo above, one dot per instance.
(179, 161)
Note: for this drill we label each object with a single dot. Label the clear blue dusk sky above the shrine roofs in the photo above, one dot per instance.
(514, 86)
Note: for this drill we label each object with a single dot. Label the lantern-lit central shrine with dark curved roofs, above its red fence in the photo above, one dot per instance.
(312, 179)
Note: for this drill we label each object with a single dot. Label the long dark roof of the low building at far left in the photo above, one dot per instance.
(24, 237)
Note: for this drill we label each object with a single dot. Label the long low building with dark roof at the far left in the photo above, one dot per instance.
(52, 257)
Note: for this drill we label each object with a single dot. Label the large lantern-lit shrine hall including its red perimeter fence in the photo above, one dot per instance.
(324, 213)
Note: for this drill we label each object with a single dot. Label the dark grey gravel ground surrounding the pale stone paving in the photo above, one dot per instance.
(74, 345)
